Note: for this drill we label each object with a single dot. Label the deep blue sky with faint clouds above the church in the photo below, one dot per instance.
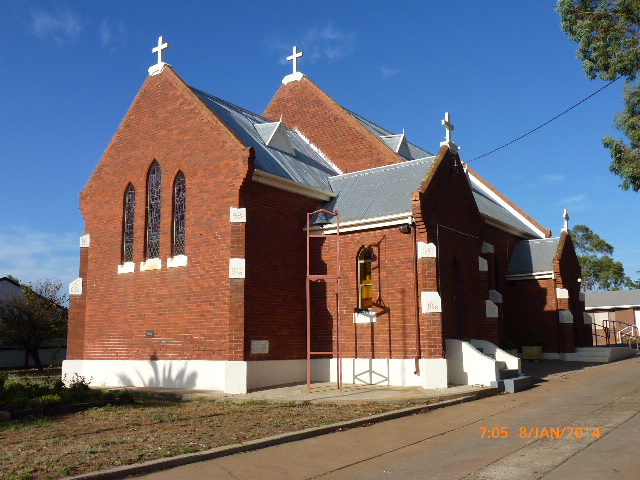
(70, 70)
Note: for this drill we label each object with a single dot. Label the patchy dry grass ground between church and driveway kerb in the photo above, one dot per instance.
(110, 436)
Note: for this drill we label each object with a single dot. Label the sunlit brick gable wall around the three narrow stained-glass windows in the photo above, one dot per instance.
(189, 308)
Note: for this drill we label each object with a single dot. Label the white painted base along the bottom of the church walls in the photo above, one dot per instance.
(240, 377)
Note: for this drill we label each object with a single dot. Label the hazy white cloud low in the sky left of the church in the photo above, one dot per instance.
(30, 255)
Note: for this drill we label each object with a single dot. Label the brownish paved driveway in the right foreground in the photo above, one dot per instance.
(593, 413)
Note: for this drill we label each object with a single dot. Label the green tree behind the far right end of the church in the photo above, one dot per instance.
(599, 270)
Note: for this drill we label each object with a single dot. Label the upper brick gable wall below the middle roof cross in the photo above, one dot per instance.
(303, 106)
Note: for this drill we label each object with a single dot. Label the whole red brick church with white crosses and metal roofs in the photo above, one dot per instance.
(232, 251)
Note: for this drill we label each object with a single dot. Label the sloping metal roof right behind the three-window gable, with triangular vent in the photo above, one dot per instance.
(306, 167)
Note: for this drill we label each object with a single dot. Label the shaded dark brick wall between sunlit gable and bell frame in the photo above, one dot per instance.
(275, 304)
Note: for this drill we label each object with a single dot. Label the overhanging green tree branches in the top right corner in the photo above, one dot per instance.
(608, 36)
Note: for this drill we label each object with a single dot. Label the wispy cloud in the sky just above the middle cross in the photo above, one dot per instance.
(324, 43)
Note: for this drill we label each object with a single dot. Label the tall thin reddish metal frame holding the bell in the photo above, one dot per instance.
(335, 279)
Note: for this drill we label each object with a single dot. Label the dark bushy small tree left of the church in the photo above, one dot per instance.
(33, 316)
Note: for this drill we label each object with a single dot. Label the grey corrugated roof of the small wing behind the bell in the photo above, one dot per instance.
(377, 192)
